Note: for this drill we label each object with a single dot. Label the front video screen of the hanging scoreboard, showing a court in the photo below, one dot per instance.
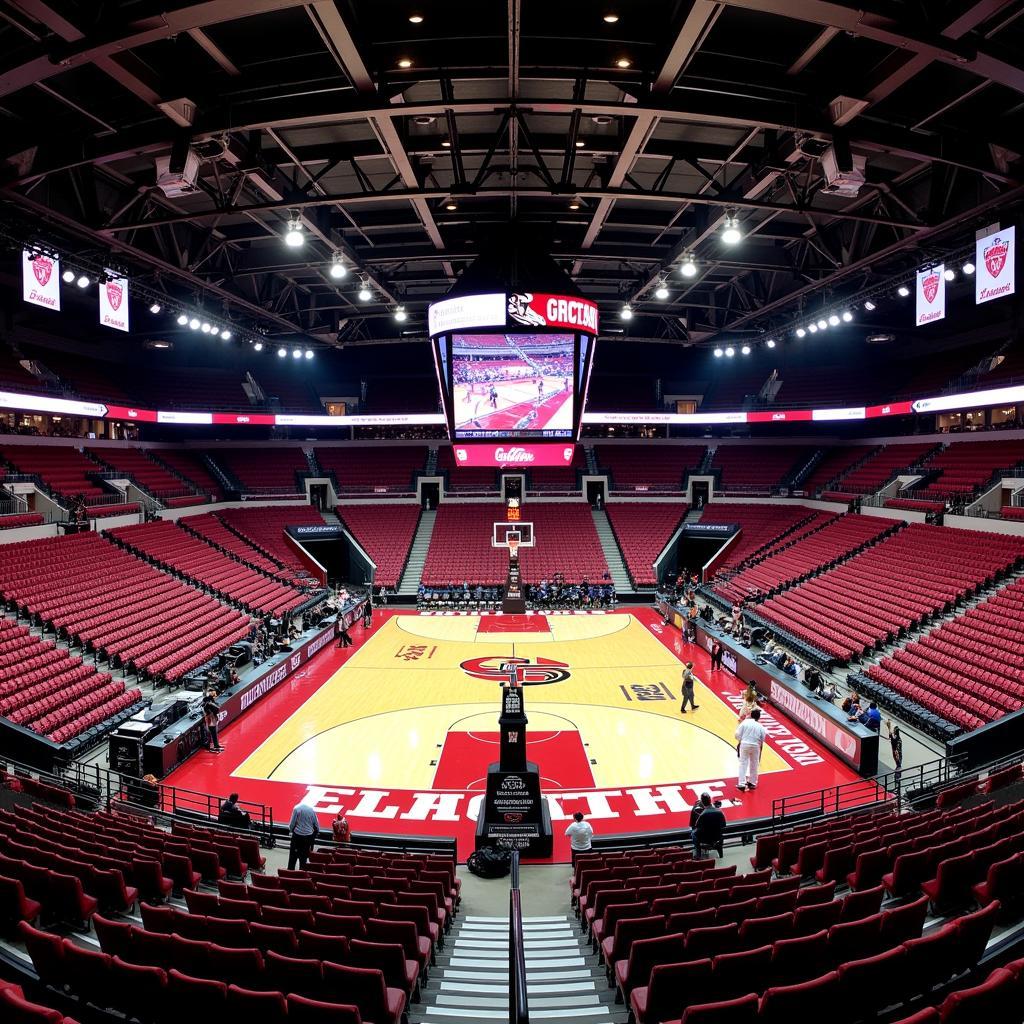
(514, 386)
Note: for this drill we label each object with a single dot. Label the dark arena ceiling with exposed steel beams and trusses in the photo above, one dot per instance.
(626, 143)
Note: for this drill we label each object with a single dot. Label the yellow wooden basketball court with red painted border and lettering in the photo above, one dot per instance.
(399, 732)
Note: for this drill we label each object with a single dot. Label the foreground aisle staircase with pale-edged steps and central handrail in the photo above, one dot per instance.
(471, 984)
